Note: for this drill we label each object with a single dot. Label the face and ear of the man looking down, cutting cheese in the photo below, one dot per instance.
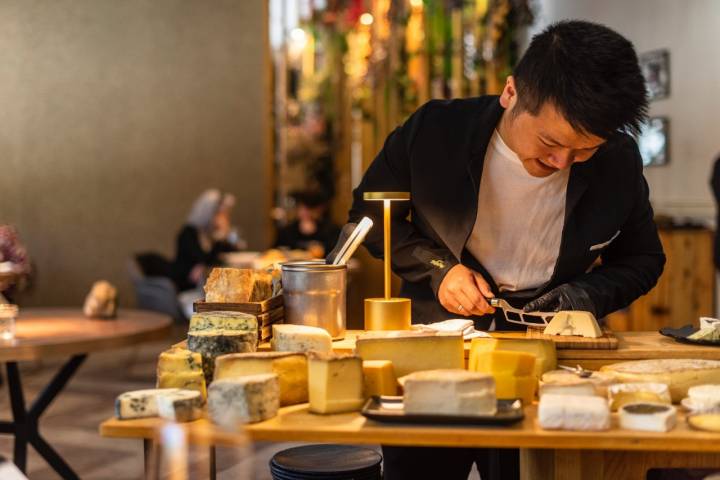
(545, 143)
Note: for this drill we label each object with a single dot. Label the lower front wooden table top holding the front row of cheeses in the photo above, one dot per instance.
(296, 423)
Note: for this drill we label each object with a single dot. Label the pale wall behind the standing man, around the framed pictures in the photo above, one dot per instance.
(689, 30)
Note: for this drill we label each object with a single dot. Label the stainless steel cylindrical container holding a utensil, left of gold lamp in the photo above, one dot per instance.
(315, 295)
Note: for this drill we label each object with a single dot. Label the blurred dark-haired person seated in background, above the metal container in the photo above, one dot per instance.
(312, 228)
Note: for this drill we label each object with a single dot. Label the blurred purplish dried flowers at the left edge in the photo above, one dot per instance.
(15, 265)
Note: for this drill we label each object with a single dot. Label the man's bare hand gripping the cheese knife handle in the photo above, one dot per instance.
(464, 291)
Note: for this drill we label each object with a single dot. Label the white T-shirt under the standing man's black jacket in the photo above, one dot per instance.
(519, 221)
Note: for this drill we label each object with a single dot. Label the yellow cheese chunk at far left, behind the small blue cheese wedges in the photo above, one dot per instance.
(181, 368)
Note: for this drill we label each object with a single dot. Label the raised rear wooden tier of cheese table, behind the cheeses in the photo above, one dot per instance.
(632, 346)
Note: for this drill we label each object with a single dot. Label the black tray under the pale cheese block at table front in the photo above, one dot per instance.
(390, 410)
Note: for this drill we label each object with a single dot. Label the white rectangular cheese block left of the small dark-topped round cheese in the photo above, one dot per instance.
(573, 412)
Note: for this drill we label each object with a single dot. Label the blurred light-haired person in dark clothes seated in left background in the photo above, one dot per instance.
(206, 235)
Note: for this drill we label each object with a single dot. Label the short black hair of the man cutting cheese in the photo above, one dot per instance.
(589, 73)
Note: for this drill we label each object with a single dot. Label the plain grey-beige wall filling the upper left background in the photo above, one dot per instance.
(114, 116)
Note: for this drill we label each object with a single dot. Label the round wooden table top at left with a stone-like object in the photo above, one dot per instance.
(46, 332)
